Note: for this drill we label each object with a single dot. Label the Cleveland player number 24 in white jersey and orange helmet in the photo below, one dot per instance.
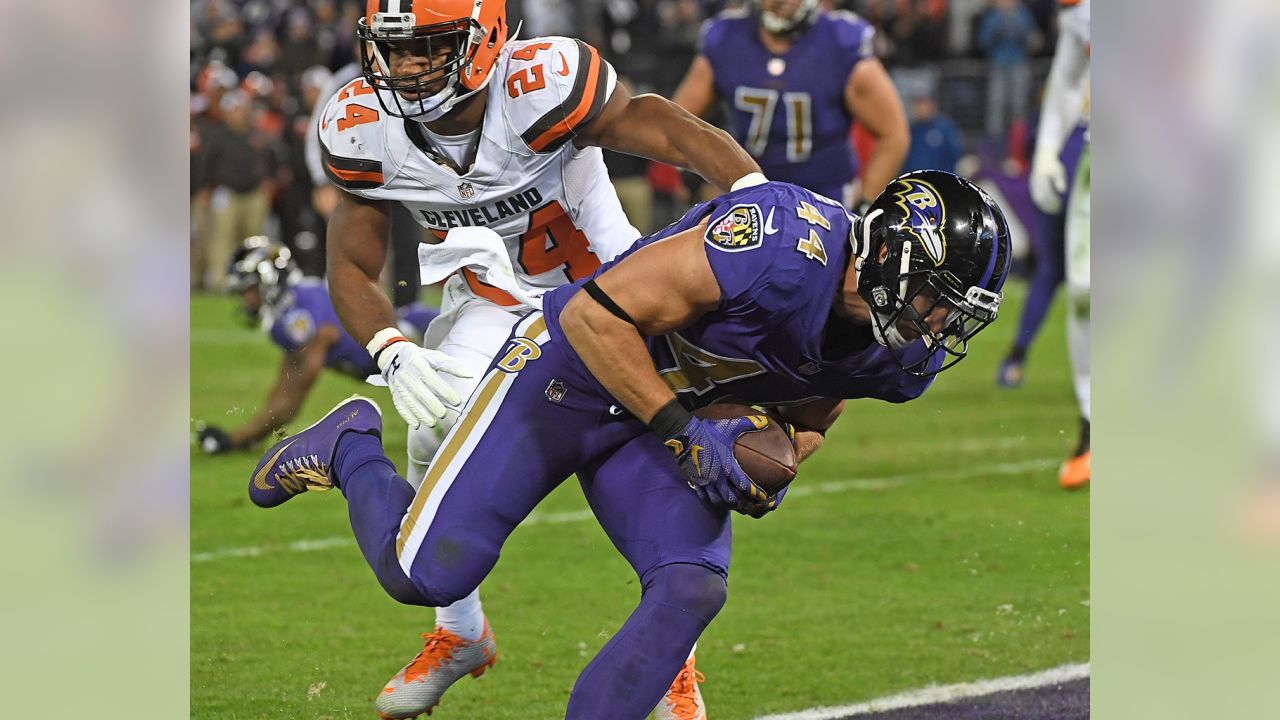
(469, 130)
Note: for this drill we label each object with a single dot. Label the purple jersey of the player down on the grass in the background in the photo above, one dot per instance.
(304, 315)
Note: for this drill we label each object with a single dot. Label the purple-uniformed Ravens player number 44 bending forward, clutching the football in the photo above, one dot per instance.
(725, 307)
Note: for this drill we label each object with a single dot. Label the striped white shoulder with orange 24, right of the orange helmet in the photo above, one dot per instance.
(554, 88)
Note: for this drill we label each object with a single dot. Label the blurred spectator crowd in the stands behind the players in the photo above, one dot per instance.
(968, 72)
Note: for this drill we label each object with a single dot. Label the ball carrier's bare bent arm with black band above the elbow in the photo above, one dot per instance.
(664, 288)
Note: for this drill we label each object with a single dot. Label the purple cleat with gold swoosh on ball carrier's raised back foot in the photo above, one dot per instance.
(305, 461)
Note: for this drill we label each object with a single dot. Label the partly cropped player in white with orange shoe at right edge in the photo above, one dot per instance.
(1066, 107)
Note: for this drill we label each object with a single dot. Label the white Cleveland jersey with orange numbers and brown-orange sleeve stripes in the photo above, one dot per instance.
(552, 203)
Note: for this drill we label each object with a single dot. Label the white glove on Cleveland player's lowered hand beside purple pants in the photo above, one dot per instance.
(414, 376)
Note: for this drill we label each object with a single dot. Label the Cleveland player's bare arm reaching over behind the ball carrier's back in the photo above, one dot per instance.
(653, 127)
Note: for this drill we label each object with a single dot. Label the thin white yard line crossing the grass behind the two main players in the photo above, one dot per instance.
(804, 490)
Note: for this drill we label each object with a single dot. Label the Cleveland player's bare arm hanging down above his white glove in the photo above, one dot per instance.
(358, 241)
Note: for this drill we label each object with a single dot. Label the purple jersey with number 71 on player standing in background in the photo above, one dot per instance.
(789, 111)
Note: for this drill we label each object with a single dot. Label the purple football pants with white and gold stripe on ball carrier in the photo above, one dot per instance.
(536, 420)
